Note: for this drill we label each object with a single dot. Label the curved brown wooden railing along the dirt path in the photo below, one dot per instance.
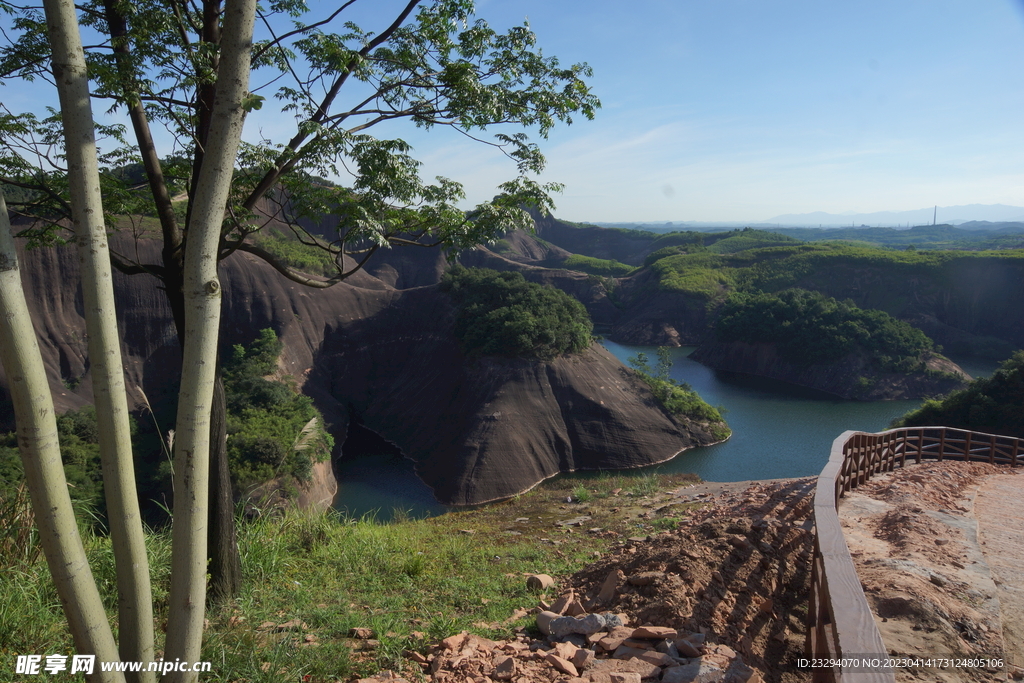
(840, 621)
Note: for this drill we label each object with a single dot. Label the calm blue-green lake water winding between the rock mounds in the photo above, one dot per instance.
(779, 432)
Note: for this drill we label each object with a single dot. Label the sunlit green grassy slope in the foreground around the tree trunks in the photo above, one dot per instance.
(410, 581)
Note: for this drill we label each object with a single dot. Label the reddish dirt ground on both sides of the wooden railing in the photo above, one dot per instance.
(737, 570)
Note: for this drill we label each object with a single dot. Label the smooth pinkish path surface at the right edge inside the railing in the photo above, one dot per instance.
(1001, 528)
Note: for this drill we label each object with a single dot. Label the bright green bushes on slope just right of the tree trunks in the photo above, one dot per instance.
(273, 432)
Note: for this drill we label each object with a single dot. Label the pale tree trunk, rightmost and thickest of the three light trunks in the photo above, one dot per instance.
(202, 295)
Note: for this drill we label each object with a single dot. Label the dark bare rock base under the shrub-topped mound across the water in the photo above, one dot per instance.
(855, 376)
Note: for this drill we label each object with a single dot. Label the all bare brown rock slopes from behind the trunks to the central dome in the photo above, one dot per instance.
(479, 431)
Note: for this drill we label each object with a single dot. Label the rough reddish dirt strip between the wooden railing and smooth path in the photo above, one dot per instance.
(915, 539)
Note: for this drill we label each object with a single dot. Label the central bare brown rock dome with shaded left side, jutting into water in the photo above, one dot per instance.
(487, 430)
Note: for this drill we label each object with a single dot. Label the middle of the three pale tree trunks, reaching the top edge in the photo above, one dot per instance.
(135, 595)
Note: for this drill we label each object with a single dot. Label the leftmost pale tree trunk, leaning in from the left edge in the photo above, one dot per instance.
(37, 440)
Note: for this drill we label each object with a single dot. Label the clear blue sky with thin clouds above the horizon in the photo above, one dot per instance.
(744, 110)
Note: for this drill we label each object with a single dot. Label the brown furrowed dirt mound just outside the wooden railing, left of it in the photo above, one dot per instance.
(738, 571)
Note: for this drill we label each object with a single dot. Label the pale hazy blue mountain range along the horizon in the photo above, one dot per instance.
(976, 217)
